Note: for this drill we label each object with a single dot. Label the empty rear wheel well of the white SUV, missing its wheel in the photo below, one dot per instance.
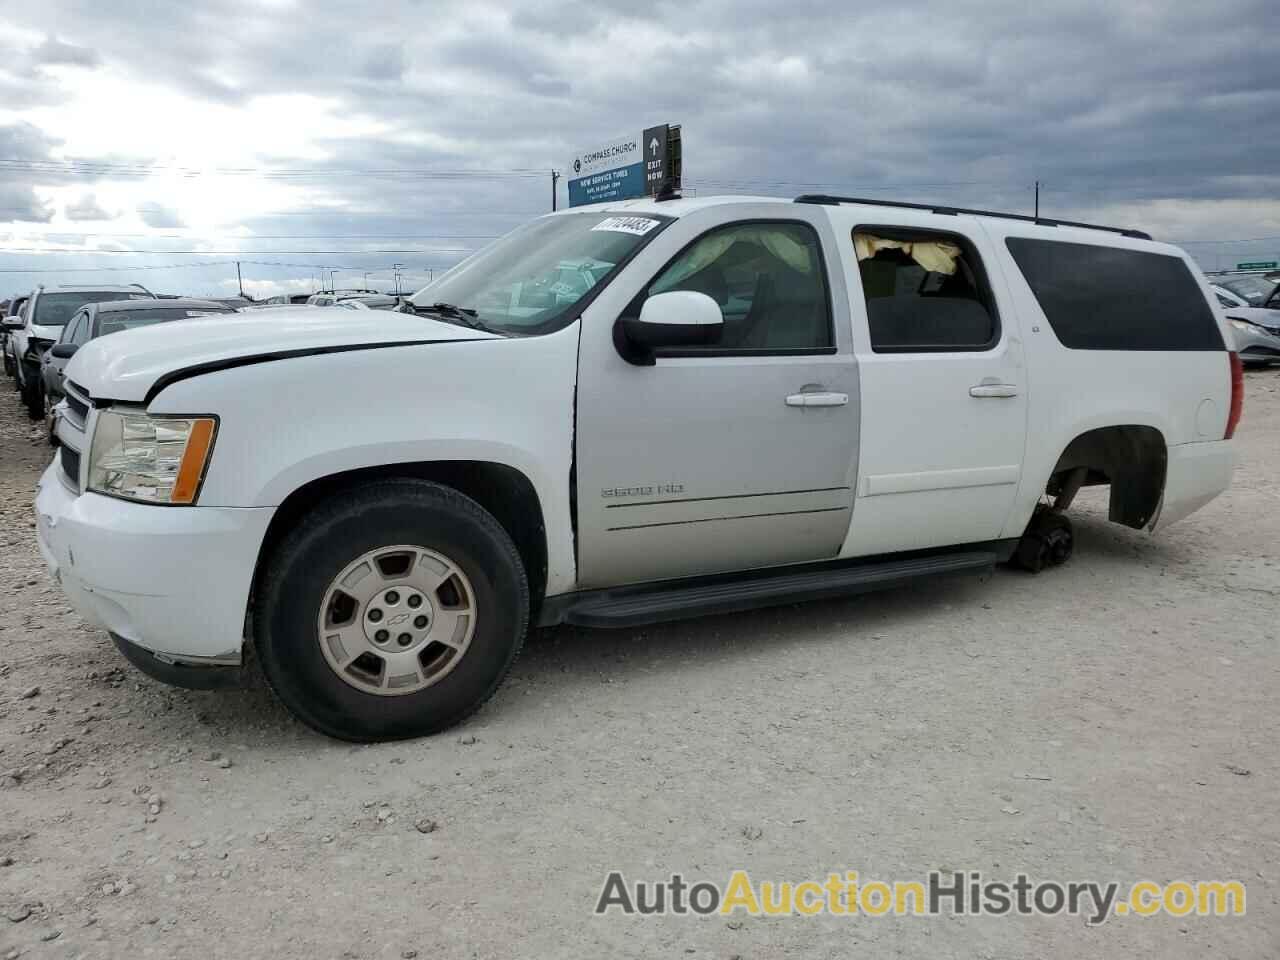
(1131, 459)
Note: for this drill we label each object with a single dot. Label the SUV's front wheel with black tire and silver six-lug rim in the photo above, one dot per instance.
(304, 582)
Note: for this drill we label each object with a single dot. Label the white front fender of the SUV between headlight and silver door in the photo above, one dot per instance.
(289, 423)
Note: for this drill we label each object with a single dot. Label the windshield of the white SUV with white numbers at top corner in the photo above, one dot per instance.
(529, 281)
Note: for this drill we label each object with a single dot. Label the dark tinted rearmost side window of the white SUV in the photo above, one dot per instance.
(1110, 299)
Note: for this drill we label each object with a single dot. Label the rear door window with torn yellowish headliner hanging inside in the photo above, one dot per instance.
(926, 291)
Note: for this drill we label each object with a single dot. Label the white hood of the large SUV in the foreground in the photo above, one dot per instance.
(125, 367)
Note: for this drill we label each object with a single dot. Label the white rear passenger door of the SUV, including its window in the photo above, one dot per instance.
(944, 383)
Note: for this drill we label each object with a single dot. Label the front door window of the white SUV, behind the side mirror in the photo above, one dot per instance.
(770, 282)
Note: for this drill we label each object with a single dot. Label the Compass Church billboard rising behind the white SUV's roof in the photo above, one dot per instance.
(628, 168)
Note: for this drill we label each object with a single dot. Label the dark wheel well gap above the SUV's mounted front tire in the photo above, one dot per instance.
(502, 491)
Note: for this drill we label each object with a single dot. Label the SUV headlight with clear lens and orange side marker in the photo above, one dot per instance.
(153, 460)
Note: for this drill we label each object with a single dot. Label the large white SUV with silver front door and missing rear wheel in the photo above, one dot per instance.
(740, 403)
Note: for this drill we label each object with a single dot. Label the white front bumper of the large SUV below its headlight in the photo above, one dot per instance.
(173, 582)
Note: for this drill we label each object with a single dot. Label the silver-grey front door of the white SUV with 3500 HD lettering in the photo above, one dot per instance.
(714, 459)
